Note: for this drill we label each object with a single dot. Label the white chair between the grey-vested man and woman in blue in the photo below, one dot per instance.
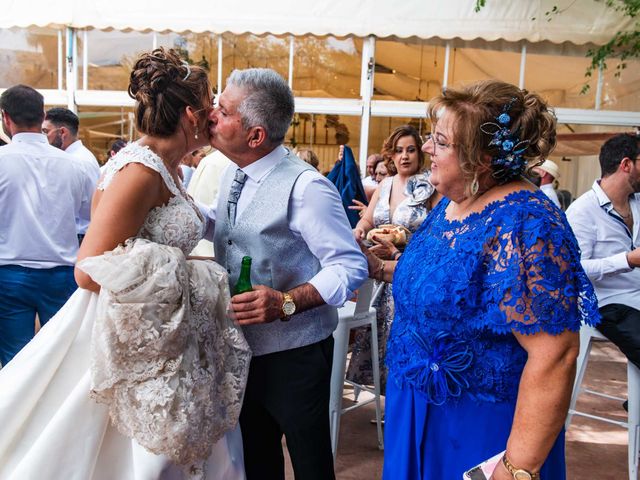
(353, 315)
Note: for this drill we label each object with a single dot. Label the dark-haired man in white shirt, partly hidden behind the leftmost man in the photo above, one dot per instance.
(61, 128)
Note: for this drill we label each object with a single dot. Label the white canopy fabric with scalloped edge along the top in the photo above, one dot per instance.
(587, 21)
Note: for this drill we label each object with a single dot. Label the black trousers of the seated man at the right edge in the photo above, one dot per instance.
(621, 325)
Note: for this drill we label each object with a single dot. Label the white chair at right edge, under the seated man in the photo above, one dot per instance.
(587, 336)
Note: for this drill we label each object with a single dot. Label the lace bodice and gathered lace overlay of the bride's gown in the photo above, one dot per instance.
(165, 358)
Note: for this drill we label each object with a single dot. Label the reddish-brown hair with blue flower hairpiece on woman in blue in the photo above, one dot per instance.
(497, 127)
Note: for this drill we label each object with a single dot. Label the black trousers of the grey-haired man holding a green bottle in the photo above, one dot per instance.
(288, 394)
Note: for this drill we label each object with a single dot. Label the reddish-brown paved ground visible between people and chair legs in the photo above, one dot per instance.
(595, 450)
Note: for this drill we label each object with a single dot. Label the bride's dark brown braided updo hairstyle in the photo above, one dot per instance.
(163, 85)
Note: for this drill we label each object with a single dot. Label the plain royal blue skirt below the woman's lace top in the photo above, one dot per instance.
(423, 441)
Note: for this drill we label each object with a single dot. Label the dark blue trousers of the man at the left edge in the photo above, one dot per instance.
(25, 292)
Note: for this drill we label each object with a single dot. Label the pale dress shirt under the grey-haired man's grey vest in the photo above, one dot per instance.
(317, 215)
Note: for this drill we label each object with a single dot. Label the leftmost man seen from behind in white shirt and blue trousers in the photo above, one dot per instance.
(41, 191)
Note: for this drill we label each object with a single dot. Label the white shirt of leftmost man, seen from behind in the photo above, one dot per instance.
(42, 189)
